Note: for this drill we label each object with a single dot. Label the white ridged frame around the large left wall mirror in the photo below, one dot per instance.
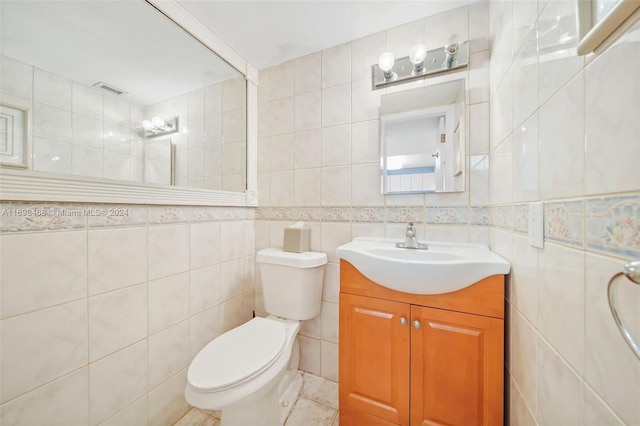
(30, 185)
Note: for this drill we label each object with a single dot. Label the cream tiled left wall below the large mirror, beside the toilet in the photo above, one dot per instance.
(104, 306)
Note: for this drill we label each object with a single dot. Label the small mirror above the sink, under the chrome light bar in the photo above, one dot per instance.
(423, 139)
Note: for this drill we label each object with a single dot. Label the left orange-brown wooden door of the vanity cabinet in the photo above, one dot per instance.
(374, 361)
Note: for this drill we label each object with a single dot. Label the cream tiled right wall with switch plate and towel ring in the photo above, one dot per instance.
(564, 130)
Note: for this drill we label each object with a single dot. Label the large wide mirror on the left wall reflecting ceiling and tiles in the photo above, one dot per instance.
(118, 93)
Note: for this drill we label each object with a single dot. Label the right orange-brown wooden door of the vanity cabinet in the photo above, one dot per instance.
(456, 368)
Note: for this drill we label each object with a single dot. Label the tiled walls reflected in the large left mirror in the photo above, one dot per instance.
(85, 131)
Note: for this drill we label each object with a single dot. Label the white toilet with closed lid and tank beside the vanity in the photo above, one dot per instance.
(251, 372)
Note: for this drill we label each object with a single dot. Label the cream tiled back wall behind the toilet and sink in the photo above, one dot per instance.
(319, 148)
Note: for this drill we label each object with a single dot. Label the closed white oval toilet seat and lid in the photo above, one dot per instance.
(237, 355)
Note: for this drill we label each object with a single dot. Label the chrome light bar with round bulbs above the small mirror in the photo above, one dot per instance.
(420, 63)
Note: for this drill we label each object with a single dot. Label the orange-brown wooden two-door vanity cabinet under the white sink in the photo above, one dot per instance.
(420, 359)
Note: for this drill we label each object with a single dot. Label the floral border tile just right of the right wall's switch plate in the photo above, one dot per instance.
(564, 222)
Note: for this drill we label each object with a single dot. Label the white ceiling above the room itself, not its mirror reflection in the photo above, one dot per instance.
(267, 33)
